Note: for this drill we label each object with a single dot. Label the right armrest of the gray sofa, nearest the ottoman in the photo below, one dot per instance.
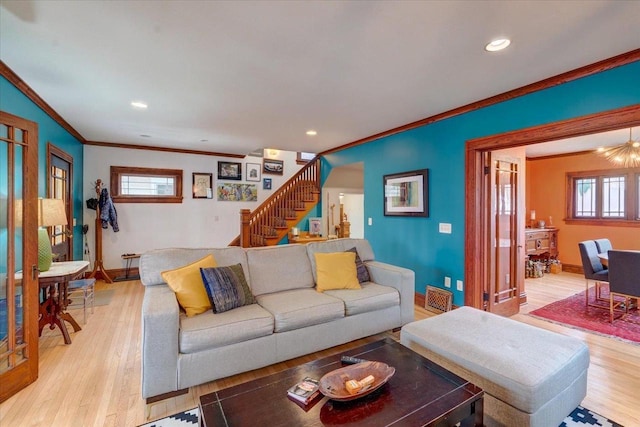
(403, 279)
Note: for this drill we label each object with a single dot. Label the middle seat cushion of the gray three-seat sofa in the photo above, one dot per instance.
(298, 308)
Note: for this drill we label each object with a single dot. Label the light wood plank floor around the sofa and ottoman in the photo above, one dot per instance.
(95, 381)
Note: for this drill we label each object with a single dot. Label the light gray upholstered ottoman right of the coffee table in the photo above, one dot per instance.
(531, 376)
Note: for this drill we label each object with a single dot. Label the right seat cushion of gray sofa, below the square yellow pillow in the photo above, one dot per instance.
(370, 298)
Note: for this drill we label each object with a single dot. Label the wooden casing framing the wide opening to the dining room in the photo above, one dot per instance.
(474, 202)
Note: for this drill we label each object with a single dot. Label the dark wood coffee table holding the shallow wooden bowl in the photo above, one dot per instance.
(420, 393)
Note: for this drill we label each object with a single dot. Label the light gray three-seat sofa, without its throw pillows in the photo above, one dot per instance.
(290, 318)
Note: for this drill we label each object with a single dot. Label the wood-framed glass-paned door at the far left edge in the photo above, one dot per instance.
(18, 254)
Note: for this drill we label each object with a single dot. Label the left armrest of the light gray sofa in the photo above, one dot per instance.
(160, 324)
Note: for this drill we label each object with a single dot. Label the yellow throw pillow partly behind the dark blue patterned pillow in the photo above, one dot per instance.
(187, 283)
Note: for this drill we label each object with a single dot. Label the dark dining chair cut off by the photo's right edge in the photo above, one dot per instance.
(624, 279)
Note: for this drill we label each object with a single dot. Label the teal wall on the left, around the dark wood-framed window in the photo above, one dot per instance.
(15, 102)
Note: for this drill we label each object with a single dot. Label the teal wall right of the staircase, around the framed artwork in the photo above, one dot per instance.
(415, 243)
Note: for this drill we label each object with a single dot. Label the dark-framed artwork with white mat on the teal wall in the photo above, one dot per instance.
(407, 194)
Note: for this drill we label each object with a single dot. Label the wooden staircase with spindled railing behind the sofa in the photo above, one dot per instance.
(273, 219)
